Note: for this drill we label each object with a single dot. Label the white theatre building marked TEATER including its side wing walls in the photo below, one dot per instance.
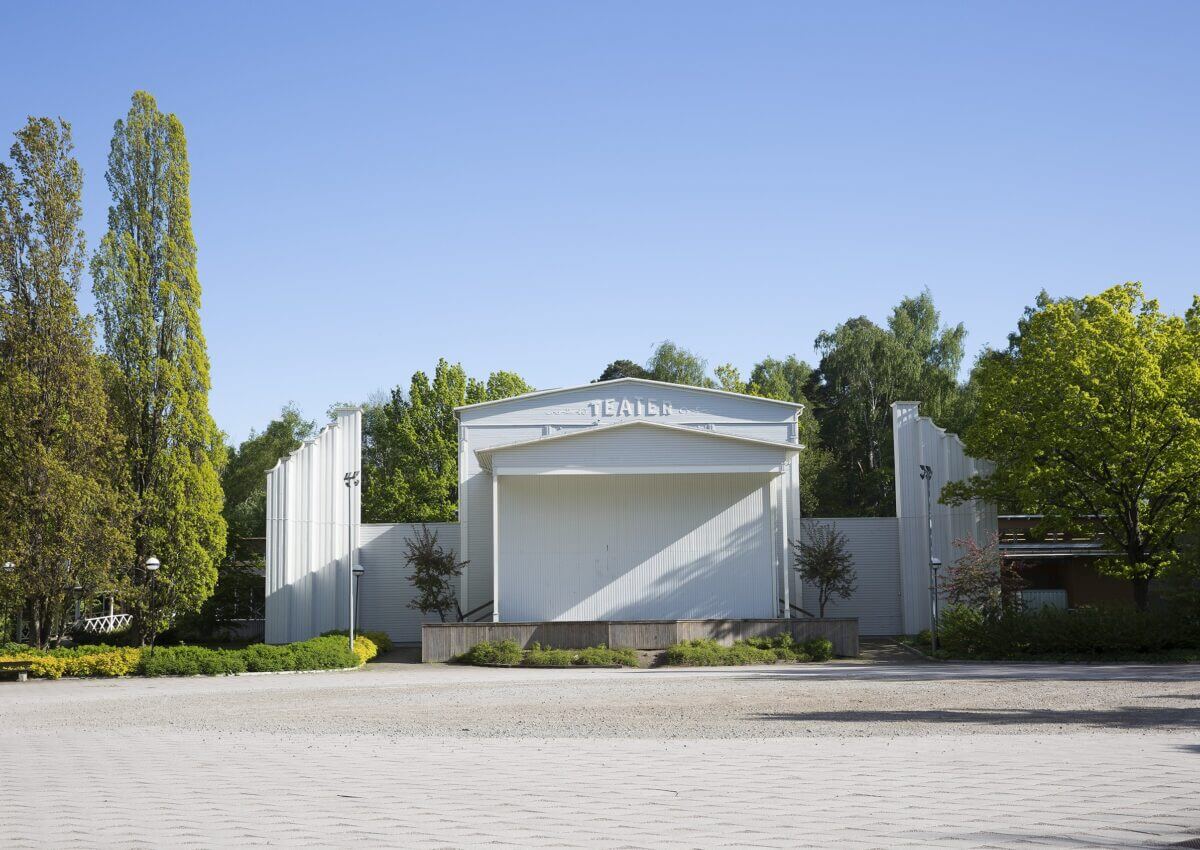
(627, 500)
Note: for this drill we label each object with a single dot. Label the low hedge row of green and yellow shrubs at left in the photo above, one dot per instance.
(320, 654)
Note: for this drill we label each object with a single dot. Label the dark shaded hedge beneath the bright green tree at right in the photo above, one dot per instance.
(1054, 633)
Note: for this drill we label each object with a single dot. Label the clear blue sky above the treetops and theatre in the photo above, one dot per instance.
(545, 188)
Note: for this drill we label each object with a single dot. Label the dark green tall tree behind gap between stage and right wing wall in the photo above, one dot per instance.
(863, 370)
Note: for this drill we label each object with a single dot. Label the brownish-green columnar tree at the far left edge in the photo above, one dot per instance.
(63, 511)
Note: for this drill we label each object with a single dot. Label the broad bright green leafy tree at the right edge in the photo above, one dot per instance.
(1093, 415)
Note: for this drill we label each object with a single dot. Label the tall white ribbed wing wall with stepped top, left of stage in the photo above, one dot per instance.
(313, 528)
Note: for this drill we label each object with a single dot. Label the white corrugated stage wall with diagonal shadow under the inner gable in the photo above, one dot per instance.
(637, 547)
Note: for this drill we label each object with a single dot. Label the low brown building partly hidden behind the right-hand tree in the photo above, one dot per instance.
(1059, 567)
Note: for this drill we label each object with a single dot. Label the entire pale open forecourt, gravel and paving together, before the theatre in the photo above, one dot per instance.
(841, 756)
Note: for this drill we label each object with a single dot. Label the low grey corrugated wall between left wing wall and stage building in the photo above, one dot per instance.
(387, 591)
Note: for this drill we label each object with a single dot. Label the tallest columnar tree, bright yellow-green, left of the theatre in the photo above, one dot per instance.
(148, 296)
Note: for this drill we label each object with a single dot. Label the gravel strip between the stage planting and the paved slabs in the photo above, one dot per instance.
(406, 701)
